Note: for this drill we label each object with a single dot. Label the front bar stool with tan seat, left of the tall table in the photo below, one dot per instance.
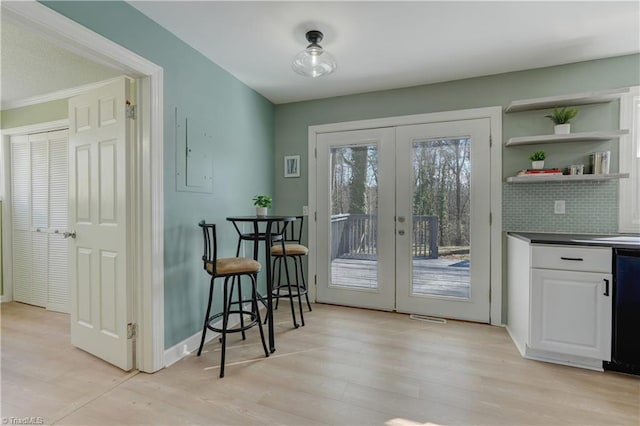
(232, 267)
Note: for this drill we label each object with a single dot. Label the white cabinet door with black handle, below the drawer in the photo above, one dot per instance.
(571, 313)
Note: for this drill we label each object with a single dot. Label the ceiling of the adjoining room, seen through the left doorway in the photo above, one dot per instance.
(32, 66)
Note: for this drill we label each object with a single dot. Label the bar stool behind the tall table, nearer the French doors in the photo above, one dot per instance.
(281, 253)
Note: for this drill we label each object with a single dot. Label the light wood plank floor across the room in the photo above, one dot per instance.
(345, 367)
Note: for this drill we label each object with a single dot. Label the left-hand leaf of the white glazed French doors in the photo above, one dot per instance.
(355, 224)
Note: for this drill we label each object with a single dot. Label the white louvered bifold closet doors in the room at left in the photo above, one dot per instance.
(39, 217)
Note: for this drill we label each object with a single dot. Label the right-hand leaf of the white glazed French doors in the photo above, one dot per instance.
(443, 230)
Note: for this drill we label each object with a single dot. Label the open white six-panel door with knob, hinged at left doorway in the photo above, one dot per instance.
(100, 137)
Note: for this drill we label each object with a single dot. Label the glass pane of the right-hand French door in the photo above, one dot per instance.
(441, 217)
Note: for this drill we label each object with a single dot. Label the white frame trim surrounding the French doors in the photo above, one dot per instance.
(494, 114)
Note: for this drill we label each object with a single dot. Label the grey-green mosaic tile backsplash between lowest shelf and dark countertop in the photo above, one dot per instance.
(590, 207)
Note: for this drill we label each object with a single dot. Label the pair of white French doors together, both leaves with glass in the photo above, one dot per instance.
(403, 219)
